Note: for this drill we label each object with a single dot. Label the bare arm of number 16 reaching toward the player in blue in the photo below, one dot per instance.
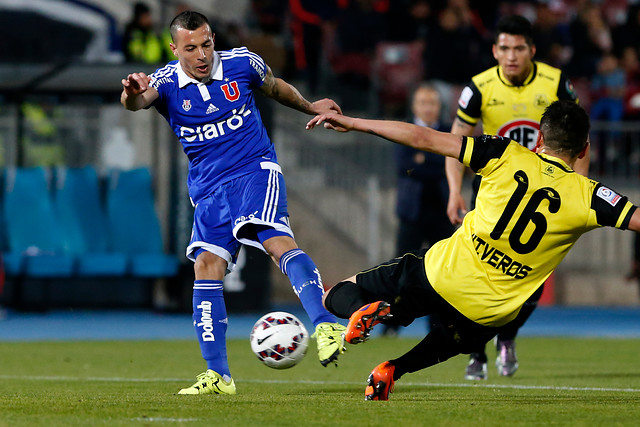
(418, 137)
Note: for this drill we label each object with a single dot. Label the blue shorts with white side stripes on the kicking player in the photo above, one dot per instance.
(246, 210)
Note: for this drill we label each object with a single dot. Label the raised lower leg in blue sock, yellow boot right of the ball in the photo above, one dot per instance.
(307, 285)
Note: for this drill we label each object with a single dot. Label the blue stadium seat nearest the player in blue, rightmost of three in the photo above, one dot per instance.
(134, 226)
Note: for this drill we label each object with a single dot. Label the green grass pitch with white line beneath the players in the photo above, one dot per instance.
(571, 382)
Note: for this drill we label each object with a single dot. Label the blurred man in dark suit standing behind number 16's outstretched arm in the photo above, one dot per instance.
(423, 191)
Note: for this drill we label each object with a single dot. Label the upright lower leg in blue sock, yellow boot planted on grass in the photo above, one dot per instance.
(210, 321)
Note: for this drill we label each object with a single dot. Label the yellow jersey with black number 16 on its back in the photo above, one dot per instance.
(530, 210)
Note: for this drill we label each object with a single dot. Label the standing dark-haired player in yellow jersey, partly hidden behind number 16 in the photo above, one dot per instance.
(509, 99)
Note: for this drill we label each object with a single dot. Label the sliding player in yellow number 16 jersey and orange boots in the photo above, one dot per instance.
(531, 208)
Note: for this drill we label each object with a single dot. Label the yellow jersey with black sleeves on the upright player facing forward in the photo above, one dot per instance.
(513, 111)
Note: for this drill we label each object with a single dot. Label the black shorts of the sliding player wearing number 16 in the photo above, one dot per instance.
(403, 283)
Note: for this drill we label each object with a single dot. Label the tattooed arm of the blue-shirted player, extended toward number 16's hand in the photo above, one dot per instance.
(288, 95)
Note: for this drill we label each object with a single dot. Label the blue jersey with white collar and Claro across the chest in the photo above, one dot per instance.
(217, 122)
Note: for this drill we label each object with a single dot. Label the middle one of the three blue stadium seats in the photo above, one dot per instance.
(83, 223)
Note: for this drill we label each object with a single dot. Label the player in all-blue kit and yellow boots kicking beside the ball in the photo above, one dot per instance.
(235, 182)
